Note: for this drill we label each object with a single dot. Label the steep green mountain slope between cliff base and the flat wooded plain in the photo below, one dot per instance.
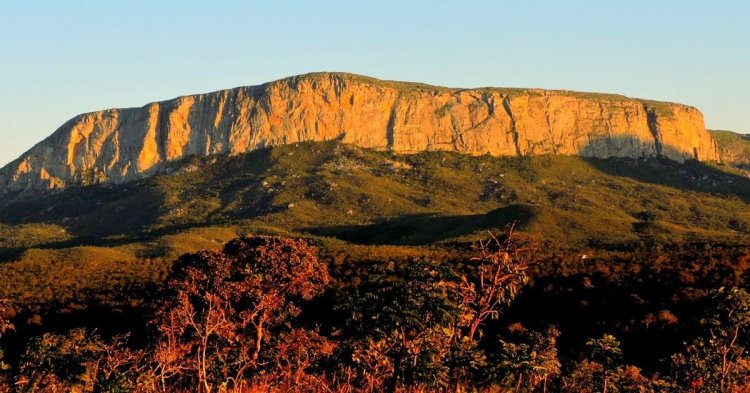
(337, 189)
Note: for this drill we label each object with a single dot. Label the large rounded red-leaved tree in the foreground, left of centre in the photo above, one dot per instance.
(220, 307)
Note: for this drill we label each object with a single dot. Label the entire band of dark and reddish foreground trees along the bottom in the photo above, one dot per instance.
(263, 315)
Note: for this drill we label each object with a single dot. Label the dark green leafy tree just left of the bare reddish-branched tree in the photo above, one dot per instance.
(403, 314)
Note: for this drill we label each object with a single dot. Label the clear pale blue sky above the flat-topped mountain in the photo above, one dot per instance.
(62, 58)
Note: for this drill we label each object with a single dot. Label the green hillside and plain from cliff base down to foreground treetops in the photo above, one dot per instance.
(126, 235)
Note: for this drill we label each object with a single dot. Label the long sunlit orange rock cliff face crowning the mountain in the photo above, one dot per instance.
(119, 145)
